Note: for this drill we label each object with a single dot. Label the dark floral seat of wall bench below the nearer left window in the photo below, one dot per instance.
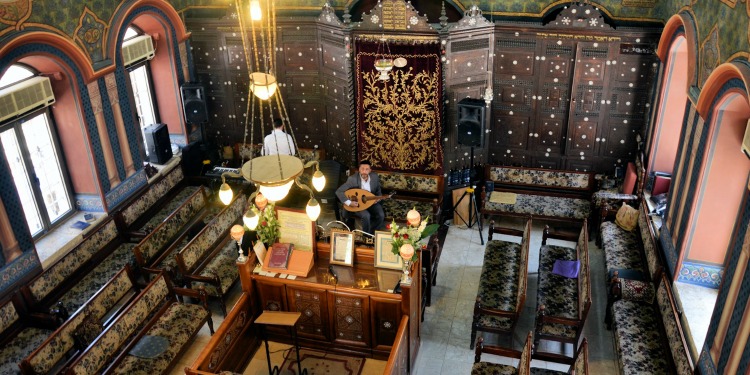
(100, 275)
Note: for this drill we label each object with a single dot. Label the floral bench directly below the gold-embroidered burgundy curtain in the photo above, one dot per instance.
(421, 192)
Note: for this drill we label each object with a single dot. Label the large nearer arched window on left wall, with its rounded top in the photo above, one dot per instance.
(34, 155)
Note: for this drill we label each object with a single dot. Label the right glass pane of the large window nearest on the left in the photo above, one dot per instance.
(47, 166)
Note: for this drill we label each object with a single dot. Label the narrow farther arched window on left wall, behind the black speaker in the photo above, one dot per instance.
(140, 80)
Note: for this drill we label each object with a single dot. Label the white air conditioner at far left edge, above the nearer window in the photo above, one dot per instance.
(24, 97)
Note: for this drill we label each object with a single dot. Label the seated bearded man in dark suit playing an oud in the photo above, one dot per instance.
(372, 218)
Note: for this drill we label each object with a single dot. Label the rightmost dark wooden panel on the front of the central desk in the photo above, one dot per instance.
(385, 317)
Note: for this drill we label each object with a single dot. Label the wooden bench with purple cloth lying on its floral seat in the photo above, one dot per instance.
(562, 303)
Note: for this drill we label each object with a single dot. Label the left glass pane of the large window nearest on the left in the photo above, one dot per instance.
(18, 170)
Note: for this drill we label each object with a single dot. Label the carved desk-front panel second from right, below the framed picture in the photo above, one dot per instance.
(350, 318)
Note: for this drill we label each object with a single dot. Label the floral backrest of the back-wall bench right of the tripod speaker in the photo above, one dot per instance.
(540, 177)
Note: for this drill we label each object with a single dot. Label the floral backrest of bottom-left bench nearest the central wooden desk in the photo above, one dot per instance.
(111, 341)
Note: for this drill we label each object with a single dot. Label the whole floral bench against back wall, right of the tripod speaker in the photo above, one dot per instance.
(541, 193)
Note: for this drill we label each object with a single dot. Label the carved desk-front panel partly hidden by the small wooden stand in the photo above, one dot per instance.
(313, 305)
